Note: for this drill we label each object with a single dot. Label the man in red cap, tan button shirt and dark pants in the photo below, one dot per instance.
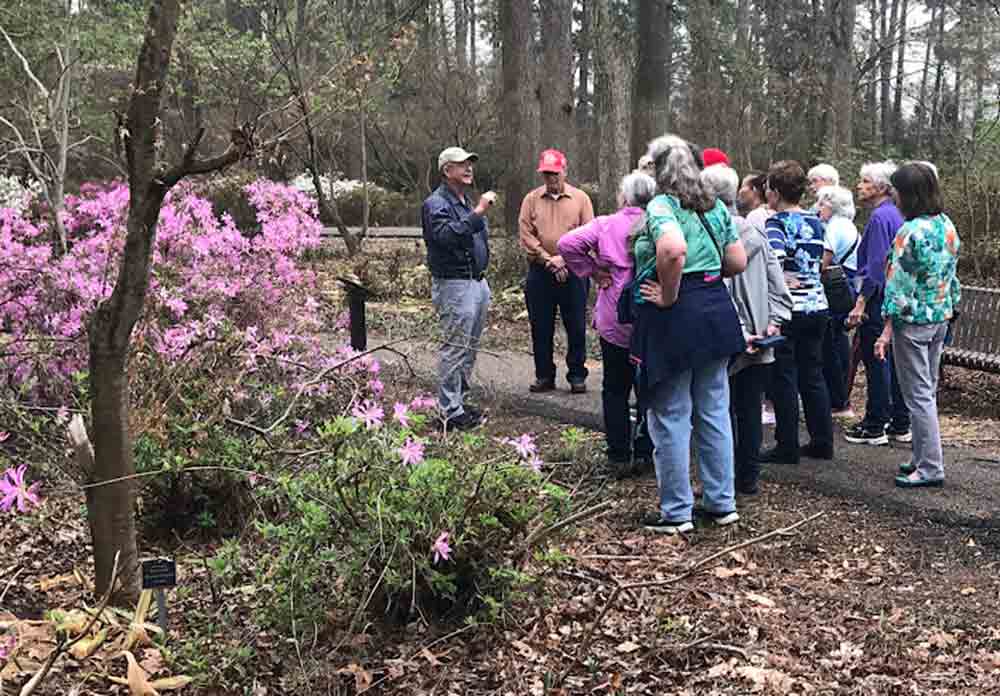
(547, 213)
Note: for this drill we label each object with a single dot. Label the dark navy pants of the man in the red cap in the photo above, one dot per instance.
(543, 295)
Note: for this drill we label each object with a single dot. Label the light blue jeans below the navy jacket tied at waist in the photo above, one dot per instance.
(695, 400)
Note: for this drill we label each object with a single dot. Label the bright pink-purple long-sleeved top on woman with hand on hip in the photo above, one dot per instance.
(604, 243)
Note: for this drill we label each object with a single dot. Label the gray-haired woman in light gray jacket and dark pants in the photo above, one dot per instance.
(763, 303)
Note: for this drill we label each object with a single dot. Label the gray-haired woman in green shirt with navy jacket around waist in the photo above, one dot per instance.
(686, 330)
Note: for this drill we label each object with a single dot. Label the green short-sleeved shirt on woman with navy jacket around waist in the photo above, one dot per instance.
(665, 214)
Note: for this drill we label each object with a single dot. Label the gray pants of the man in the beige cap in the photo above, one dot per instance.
(461, 306)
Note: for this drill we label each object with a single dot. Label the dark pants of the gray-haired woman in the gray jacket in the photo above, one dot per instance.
(746, 392)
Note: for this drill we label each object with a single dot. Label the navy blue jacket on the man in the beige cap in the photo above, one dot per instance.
(456, 237)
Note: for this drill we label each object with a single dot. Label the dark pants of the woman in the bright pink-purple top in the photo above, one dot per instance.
(619, 382)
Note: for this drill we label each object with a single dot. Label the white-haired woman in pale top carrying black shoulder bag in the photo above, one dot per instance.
(835, 207)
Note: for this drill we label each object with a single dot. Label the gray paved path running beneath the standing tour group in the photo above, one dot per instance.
(971, 496)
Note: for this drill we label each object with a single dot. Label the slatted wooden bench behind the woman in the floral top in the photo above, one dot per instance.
(975, 340)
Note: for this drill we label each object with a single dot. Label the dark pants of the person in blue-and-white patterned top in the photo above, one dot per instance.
(798, 369)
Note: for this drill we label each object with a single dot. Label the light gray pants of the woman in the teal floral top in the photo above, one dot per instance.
(917, 352)
